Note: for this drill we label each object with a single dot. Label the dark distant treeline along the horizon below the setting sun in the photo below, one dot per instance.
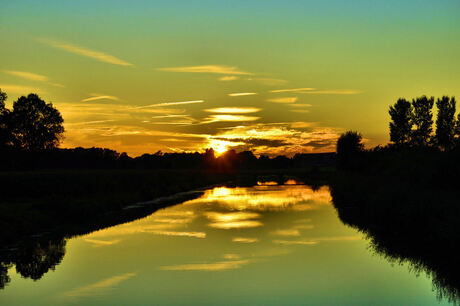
(100, 158)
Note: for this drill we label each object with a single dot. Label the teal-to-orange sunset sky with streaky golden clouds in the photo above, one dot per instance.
(268, 76)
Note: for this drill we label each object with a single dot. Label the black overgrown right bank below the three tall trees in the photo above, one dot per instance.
(407, 203)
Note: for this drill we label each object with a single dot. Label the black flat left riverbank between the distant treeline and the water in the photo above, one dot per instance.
(43, 201)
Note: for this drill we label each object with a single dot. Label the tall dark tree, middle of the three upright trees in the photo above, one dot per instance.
(422, 118)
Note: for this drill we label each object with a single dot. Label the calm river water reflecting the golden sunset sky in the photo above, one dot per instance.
(261, 245)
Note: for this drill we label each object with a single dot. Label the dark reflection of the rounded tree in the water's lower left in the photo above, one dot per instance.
(33, 260)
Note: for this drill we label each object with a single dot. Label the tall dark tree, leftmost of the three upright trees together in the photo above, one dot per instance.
(401, 125)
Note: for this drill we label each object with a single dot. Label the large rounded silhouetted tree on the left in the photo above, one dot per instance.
(36, 125)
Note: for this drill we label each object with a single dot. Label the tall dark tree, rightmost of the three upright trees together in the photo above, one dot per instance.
(445, 122)
